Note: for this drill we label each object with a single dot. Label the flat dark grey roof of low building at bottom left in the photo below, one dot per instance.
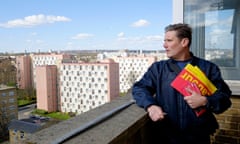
(24, 126)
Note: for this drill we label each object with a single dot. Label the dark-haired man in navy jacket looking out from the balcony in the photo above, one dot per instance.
(167, 107)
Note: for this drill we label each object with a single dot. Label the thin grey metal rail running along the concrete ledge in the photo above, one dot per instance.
(91, 123)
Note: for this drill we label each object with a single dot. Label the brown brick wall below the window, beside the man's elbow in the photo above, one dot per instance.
(229, 123)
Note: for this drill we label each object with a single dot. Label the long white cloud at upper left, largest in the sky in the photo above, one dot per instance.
(34, 20)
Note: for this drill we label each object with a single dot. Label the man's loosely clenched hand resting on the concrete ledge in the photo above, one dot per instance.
(155, 113)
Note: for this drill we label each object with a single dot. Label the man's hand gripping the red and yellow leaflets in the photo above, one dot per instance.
(195, 100)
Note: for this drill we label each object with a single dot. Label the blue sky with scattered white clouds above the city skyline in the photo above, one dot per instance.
(58, 25)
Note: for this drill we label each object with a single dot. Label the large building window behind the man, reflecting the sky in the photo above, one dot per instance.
(216, 33)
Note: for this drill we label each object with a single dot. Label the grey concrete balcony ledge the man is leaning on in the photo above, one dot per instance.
(104, 132)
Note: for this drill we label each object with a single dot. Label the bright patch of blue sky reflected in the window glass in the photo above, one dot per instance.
(219, 29)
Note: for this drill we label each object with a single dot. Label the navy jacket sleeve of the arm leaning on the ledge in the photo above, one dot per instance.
(143, 90)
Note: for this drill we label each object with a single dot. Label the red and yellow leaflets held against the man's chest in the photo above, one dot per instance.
(192, 77)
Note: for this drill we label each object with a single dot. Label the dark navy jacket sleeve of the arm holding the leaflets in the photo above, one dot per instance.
(220, 100)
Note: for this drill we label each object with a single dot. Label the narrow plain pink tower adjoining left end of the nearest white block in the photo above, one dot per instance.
(46, 87)
